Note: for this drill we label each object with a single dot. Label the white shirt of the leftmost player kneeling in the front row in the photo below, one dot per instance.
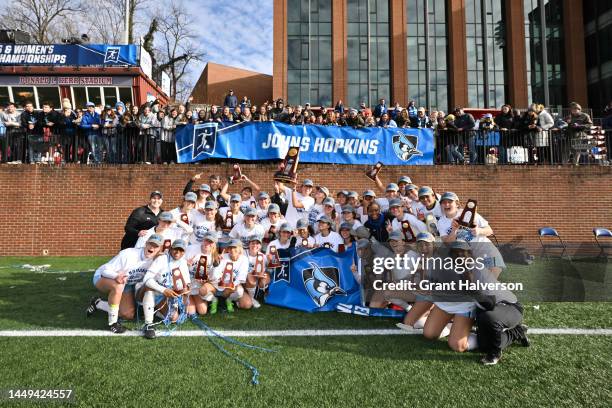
(130, 261)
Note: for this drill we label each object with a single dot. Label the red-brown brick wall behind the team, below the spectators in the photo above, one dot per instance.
(76, 210)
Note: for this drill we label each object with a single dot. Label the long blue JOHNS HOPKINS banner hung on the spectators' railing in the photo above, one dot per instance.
(318, 144)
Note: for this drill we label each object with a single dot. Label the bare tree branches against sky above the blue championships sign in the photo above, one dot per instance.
(44, 20)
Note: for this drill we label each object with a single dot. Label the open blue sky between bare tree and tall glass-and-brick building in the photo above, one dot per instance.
(238, 34)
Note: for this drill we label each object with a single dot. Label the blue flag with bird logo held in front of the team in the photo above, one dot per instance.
(314, 280)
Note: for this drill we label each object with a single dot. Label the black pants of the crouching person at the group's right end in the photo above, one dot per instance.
(496, 328)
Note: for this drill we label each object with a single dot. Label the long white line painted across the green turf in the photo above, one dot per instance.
(277, 333)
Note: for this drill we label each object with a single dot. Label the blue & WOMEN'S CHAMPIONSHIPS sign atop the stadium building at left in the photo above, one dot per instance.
(69, 55)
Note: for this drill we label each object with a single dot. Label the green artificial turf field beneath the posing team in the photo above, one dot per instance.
(558, 370)
